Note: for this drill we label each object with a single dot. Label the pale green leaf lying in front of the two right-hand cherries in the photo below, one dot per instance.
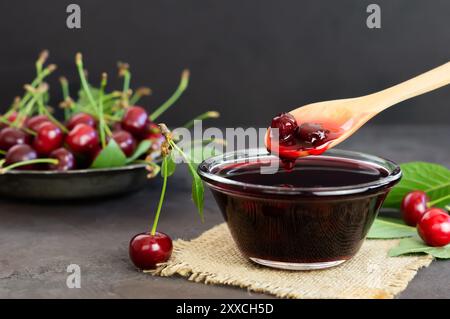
(415, 245)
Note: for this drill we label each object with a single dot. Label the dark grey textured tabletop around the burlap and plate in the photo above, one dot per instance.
(39, 240)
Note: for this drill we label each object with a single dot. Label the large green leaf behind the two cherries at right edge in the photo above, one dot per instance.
(431, 178)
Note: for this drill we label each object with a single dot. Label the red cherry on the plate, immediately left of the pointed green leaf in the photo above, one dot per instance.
(82, 139)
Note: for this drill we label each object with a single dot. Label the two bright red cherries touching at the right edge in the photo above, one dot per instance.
(433, 224)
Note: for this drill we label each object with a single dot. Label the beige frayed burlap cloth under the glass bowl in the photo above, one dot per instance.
(213, 258)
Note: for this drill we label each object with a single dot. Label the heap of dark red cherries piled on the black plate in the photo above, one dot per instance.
(74, 144)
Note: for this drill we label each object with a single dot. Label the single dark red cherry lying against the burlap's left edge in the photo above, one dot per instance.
(146, 250)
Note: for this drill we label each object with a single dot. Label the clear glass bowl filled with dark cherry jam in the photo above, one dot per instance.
(314, 216)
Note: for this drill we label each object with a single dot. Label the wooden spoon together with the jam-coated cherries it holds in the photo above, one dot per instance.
(316, 127)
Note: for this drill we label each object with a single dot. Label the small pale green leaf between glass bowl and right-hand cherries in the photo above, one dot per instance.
(387, 228)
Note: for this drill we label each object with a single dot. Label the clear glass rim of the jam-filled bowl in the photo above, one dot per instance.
(212, 179)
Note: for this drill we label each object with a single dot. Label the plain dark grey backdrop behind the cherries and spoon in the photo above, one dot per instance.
(249, 59)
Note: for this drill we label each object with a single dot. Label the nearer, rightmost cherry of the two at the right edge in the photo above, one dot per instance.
(434, 227)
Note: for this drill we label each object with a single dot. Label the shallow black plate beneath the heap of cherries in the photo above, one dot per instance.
(76, 184)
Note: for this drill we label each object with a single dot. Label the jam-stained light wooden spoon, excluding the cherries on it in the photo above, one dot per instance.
(348, 115)
